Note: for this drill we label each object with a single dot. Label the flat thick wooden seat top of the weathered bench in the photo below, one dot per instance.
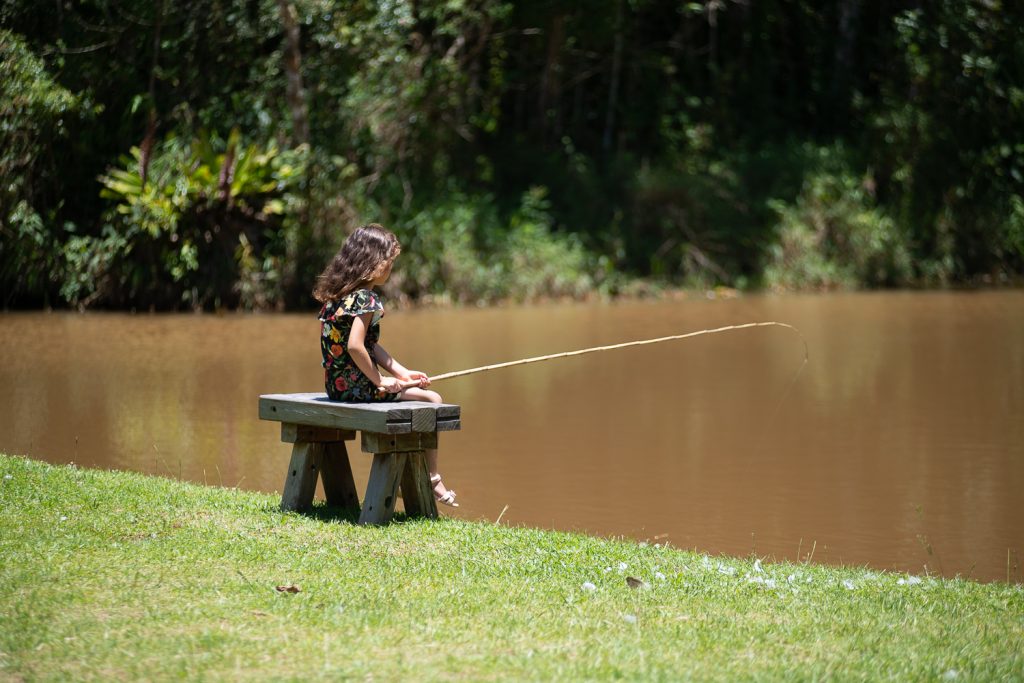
(394, 418)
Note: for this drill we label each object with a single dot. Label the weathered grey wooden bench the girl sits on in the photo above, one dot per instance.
(397, 434)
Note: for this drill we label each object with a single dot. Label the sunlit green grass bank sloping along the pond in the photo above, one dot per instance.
(113, 575)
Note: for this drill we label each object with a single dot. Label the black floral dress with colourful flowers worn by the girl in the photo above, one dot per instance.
(343, 378)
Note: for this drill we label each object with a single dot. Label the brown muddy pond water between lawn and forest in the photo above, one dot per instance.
(901, 446)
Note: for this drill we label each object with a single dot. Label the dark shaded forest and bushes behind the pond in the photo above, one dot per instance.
(216, 153)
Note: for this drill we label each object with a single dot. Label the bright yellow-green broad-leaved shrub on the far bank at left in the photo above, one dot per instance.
(197, 224)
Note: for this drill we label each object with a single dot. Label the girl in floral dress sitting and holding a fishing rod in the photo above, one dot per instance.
(351, 330)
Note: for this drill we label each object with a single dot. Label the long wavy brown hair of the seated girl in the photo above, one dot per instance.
(362, 260)
